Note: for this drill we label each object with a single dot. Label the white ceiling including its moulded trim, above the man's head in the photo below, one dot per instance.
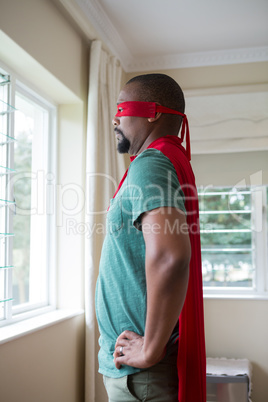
(162, 34)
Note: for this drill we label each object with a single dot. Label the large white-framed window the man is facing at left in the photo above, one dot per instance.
(27, 201)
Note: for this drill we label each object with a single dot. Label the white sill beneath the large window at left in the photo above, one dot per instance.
(25, 327)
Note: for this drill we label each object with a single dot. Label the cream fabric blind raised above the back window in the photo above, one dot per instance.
(228, 119)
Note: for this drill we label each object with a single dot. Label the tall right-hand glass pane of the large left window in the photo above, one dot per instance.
(30, 159)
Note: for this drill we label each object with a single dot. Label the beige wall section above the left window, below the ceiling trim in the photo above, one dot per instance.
(42, 31)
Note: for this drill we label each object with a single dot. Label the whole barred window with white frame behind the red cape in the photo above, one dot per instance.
(233, 227)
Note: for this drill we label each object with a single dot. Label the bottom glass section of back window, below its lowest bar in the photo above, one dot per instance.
(227, 268)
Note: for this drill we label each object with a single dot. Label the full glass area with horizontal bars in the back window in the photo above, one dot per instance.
(226, 238)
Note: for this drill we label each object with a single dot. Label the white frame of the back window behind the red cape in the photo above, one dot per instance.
(260, 290)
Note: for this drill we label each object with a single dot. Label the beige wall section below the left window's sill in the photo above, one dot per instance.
(44, 366)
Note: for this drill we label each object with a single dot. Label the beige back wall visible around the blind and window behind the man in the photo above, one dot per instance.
(234, 328)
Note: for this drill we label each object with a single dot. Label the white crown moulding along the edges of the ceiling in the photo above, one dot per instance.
(97, 16)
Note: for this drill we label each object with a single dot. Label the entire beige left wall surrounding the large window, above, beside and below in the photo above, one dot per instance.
(43, 48)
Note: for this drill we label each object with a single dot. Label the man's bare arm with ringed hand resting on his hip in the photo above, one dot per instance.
(167, 269)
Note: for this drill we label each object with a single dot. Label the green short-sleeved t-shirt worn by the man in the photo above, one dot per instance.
(151, 183)
